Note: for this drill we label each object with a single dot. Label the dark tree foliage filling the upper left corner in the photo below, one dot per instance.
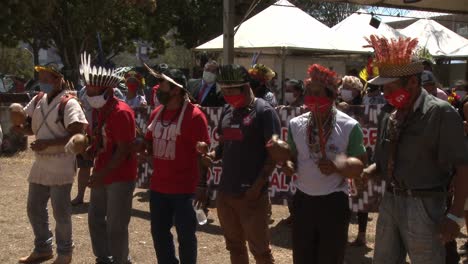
(72, 27)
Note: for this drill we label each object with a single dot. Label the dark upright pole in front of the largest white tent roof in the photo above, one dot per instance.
(228, 32)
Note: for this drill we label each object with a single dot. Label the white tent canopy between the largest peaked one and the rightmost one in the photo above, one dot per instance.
(350, 33)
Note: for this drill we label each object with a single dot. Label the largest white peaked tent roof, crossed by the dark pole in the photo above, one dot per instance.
(280, 25)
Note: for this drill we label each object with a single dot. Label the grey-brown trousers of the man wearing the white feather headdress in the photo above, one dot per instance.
(110, 208)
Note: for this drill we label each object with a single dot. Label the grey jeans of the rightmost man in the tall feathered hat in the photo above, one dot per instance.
(409, 225)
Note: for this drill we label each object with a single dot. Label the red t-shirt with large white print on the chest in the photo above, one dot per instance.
(175, 158)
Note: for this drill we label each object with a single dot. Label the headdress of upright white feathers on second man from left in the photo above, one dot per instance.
(98, 77)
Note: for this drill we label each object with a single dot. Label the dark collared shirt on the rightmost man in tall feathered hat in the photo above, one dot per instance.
(431, 144)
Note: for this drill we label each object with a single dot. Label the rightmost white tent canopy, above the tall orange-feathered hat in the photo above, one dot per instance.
(439, 40)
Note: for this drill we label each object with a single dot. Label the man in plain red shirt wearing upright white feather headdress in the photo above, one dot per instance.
(115, 167)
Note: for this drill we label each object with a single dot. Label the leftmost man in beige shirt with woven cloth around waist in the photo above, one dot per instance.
(53, 170)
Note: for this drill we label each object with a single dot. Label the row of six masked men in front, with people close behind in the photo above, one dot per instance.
(420, 152)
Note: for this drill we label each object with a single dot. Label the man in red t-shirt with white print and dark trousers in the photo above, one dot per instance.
(175, 128)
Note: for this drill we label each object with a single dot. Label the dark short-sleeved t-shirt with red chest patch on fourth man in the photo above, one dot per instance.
(244, 133)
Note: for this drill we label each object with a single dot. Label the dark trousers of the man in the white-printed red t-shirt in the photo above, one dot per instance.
(168, 210)
